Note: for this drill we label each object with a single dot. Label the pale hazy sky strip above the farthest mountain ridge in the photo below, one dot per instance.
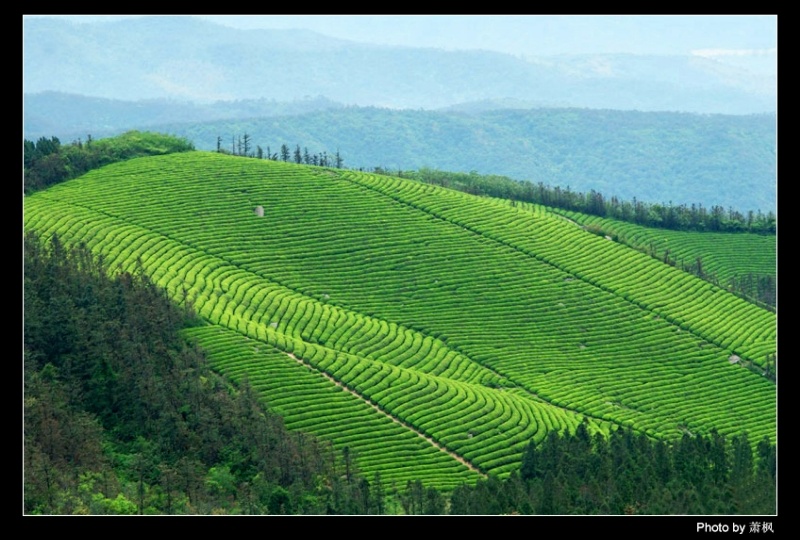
(536, 34)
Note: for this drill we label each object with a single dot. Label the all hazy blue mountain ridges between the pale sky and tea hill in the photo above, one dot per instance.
(602, 122)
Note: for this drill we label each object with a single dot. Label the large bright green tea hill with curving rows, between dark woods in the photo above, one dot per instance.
(432, 333)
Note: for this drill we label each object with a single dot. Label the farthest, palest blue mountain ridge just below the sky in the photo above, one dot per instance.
(189, 59)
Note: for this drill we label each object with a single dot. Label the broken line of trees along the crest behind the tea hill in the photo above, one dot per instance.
(47, 162)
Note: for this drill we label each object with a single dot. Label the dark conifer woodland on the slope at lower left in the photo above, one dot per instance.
(123, 416)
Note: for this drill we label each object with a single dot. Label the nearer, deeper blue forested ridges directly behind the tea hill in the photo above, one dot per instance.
(726, 160)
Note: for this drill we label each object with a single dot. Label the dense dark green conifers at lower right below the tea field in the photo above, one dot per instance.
(629, 473)
